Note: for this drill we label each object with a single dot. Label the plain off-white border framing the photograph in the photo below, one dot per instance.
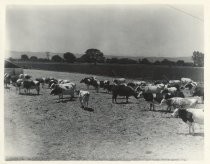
(205, 3)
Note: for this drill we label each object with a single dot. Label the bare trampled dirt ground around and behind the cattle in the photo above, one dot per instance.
(39, 128)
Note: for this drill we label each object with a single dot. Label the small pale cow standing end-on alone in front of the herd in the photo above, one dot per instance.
(83, 98)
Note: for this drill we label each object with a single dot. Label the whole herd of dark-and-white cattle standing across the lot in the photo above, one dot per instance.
(168, 92)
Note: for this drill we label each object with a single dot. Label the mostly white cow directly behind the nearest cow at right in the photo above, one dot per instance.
(179, 102)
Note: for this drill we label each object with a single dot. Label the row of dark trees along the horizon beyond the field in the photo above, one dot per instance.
(96, 56)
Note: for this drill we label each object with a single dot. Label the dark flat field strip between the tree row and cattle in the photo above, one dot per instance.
(137, 71)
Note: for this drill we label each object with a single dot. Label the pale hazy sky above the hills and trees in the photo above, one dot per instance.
(126, 30)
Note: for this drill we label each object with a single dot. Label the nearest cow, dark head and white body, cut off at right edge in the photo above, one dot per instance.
(190, 116)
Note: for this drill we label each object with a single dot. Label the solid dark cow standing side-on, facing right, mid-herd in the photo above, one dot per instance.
(123, 90)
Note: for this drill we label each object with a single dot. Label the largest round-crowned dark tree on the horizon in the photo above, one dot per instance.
(93, 56)
